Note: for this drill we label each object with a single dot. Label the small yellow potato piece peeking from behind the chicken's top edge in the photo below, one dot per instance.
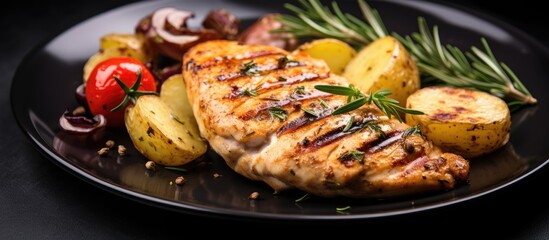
(335, 53)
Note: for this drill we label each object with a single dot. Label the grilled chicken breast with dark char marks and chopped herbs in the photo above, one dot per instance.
(257, 107)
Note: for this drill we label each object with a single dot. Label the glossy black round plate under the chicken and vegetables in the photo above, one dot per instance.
(44, 87)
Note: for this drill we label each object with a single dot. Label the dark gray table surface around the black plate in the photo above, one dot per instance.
(39, 200)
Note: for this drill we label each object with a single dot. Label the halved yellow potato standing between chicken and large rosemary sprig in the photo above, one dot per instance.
(384, 64)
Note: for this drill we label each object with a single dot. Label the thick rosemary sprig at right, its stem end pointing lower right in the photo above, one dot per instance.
(448, 65)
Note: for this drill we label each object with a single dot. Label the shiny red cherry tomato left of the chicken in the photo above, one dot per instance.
(104, 93)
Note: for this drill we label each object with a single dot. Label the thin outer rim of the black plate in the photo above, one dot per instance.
(43, 147)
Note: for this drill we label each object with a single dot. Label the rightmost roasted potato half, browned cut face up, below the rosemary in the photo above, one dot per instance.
(463, 121)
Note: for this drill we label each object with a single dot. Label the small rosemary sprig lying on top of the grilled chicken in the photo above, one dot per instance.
(355, 99)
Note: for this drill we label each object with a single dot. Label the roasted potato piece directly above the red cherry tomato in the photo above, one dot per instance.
(113, 45)
